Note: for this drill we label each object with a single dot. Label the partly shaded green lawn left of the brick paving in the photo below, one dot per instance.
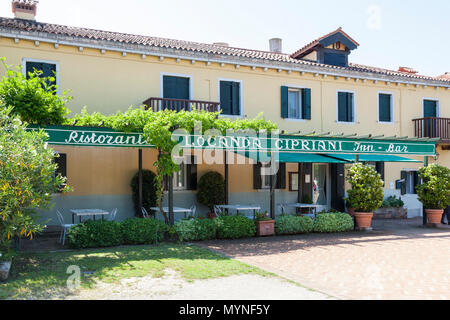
(44, 275)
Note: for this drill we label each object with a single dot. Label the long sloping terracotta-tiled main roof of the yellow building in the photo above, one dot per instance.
(124, 41)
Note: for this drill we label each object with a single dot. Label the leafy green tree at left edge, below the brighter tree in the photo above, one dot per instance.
(27, 178)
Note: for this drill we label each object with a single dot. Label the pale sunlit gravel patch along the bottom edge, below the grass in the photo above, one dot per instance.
(172, 287)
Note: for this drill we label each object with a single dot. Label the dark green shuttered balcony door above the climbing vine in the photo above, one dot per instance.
(176, 88)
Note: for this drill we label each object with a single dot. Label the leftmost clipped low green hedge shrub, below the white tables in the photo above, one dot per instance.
(94, 234)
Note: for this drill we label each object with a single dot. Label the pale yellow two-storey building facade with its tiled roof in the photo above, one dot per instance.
(110, 75)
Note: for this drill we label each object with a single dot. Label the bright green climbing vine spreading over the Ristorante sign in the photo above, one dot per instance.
(157, 128)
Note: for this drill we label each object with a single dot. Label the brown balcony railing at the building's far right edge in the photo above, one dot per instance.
(433, 127)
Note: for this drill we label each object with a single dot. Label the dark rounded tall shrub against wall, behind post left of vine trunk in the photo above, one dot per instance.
(148, 191)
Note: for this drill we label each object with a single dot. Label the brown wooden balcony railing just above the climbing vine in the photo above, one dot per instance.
(157, 104)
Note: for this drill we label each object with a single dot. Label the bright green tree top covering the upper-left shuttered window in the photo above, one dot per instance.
(35, 99)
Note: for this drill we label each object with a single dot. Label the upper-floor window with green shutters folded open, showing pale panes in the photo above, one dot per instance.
(295, 103)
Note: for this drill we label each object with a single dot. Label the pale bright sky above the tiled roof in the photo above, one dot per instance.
(391, 33)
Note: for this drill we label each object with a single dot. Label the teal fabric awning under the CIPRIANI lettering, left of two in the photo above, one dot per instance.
(292, 157)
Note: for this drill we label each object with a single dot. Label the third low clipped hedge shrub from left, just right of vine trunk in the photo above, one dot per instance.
(196, 229)
